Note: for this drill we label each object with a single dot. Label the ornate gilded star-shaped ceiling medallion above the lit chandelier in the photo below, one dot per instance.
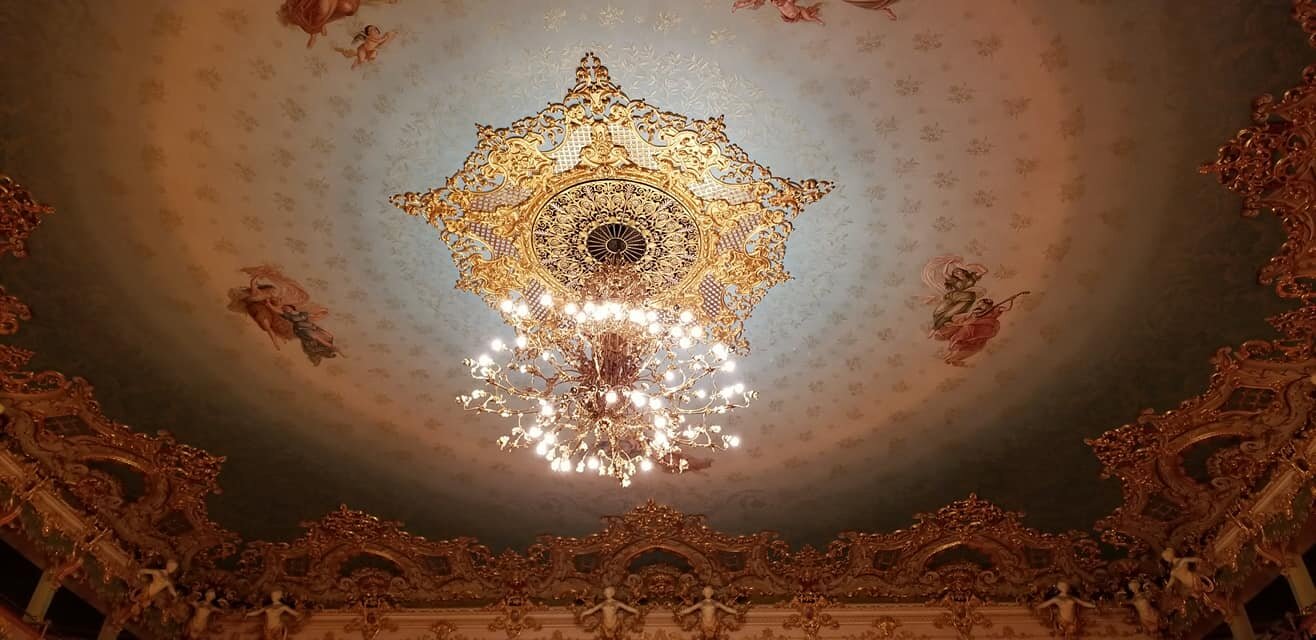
(714, 223)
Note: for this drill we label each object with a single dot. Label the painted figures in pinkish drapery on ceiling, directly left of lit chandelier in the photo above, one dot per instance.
(284, 310)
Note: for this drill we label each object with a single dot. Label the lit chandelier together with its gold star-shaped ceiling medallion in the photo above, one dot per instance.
(624, 247)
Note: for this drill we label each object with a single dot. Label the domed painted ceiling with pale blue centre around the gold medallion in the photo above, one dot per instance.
(1018, 255)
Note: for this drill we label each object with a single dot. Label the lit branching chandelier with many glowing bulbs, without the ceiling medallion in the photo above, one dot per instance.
(607, 388)
